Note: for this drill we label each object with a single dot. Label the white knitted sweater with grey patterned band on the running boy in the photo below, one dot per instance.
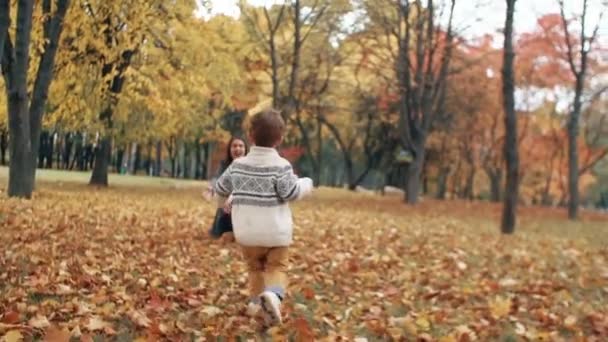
(261, 184)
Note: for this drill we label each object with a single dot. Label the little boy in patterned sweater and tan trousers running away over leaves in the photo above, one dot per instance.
(261, 184)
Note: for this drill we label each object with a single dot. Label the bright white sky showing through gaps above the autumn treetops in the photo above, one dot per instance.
(477, 16)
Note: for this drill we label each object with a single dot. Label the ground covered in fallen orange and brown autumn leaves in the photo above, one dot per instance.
(134, 262)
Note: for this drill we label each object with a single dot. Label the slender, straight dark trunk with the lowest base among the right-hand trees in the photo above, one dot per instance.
(510, 147)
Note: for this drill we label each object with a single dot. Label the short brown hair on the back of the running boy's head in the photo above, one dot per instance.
(266, 128)
